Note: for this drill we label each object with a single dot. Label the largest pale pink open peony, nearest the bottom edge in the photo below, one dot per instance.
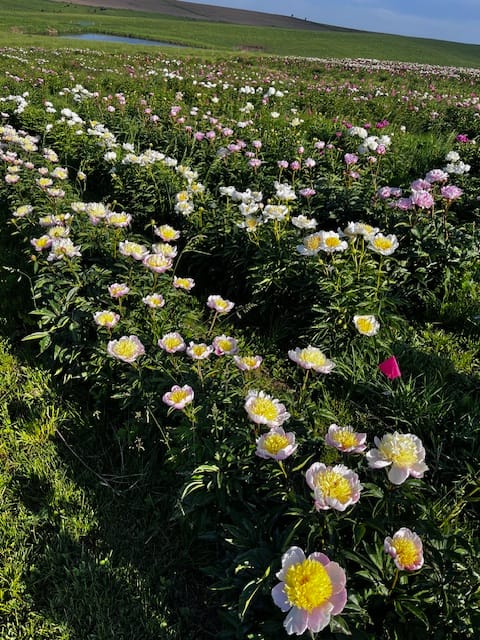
(311, 590)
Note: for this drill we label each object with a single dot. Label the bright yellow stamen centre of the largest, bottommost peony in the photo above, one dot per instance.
(308, 585)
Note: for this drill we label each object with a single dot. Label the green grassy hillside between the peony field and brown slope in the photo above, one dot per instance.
(45, 21)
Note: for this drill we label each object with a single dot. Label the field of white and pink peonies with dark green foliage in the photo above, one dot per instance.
(261, 281)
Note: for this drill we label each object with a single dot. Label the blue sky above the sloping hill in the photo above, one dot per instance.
(456, 20)
